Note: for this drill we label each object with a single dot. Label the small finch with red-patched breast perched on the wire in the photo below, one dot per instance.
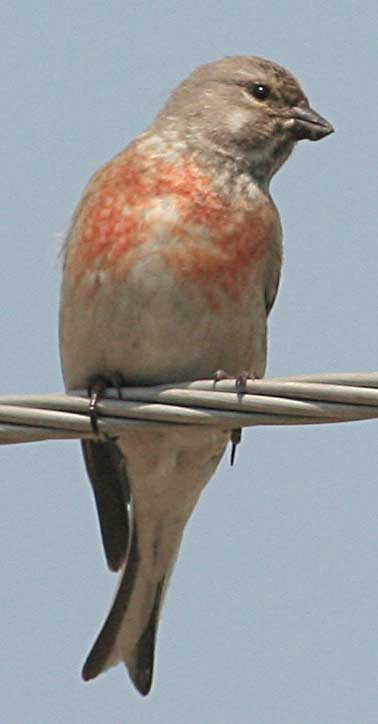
(171, 266)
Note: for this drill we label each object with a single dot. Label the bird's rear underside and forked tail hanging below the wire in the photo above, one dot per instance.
(166, 478)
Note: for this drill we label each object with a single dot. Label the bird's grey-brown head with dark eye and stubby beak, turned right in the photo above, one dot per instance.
(246, 108)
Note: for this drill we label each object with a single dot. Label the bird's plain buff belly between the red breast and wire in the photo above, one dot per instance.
(156, 328)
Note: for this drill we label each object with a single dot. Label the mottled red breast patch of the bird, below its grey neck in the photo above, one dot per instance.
(135, 212)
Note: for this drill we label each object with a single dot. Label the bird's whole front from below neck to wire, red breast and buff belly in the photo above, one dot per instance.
(166, 274)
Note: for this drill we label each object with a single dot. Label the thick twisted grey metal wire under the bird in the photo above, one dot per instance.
(303, 400)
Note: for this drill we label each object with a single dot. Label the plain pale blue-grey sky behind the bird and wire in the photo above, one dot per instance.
(271, 616)
